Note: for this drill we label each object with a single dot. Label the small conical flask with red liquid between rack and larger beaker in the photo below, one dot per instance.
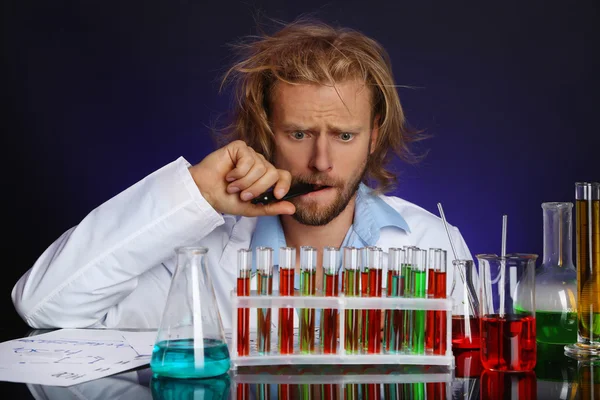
(465, 311)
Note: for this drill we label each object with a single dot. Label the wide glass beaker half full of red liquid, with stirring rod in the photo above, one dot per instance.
(508, 312)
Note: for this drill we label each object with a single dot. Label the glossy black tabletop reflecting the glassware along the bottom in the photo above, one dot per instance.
(555, 377)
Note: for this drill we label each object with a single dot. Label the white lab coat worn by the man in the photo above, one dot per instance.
(113, 269)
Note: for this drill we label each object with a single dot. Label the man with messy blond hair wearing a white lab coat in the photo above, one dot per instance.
(313, 104)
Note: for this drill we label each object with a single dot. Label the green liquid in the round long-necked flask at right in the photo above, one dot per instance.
(556, 327)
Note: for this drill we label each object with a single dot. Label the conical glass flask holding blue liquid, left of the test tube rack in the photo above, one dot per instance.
(190, 342)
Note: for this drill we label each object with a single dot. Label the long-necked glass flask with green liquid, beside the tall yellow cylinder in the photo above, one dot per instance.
(556, 279)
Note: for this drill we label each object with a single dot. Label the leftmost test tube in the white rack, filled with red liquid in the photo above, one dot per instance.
(243, 289)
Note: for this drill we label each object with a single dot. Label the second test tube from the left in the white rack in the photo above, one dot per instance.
(264, 269)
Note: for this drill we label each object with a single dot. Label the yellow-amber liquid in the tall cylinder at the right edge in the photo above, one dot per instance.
(588, 270)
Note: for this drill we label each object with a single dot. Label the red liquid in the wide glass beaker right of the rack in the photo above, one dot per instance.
(508, 343)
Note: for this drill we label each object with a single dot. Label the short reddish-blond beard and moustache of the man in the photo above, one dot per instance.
(309, 213)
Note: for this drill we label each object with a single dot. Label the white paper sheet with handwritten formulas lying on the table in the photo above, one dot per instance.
(68, 356)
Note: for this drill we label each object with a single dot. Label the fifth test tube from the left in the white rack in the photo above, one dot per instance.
(330, 317)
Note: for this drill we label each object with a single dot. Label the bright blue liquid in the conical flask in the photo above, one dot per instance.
(175, 359)
